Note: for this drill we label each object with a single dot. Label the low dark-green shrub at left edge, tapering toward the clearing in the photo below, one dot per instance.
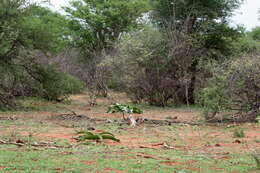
(32, 79)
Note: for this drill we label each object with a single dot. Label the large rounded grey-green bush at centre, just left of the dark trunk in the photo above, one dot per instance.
(147, 70)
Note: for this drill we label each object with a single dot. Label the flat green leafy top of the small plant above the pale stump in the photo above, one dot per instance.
(123, 108)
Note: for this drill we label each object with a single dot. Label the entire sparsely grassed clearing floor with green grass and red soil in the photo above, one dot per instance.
(145, 148)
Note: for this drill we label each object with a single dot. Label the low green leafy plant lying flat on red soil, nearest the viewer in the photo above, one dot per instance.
(86, 135)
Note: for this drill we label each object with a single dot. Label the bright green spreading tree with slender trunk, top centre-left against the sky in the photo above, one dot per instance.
(97, 25)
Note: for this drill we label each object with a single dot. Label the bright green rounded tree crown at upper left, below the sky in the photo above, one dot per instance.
(46, 30)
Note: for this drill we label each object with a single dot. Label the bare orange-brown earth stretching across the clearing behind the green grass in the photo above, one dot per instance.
(215, 140)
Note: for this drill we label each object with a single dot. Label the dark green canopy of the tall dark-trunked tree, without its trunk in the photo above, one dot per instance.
(206, 21)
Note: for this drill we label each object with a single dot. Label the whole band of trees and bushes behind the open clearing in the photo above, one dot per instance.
(159, 52)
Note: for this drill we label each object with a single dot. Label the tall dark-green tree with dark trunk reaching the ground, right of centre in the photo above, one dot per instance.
(204, 22)
